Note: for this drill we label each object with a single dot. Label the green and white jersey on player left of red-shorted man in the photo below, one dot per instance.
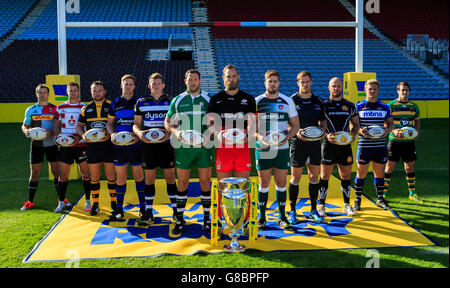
(190, 111)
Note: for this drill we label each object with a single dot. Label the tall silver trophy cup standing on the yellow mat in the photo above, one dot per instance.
(234, 204)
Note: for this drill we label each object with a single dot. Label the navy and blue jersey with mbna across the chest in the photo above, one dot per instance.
(372, 113)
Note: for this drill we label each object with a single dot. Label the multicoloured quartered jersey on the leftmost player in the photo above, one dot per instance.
(43, 117)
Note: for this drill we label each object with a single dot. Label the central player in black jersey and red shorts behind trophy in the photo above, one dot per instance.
(231, 108)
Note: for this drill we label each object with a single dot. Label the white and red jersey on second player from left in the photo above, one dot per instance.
(68, 115)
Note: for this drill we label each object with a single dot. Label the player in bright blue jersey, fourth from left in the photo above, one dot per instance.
(121, 118)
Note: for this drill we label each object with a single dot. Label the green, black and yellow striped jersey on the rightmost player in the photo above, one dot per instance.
(403, 115)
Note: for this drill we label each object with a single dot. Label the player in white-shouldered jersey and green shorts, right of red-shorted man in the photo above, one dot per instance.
(275, 111)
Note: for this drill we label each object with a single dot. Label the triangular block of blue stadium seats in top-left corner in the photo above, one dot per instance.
(13, 13)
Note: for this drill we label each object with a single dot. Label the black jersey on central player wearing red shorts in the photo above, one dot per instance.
(232, 108)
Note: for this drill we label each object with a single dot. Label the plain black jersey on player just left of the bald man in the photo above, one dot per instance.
(310, 111)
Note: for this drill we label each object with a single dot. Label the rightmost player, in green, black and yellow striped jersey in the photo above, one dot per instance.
(405, 114)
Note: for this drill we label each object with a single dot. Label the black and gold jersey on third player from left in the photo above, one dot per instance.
(95, 115)
